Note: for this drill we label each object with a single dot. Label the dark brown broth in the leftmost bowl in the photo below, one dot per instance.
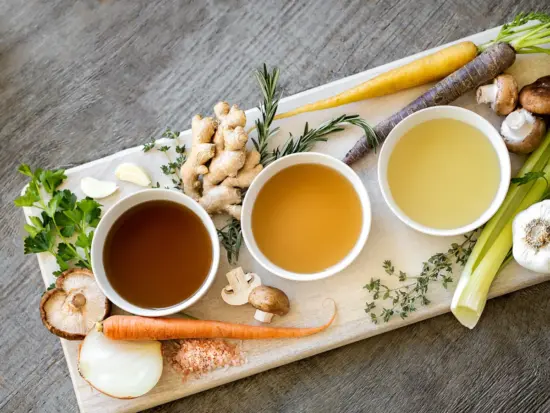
(157, 254)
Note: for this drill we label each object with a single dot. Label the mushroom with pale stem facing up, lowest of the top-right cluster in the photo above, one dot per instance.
(522, 132)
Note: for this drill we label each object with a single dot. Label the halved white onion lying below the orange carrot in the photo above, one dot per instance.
(120, 369)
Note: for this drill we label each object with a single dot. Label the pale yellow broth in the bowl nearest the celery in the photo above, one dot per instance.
(444, 173)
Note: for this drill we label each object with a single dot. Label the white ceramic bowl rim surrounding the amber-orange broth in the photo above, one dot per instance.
(273, 169)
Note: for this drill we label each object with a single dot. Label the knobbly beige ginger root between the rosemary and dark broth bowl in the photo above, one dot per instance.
(231, 167)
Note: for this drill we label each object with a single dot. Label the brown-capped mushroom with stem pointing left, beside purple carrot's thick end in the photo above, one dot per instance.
(502, 94)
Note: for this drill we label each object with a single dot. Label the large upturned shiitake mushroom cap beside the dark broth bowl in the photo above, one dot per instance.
(72, 308)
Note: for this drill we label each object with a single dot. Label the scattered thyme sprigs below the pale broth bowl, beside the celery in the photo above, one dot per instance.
(406, 298)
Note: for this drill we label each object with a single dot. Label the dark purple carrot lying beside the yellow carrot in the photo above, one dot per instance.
(482, 69)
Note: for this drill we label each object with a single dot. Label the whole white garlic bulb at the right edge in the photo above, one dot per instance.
(531, 235)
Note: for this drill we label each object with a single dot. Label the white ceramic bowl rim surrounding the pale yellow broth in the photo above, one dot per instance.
(445, 112)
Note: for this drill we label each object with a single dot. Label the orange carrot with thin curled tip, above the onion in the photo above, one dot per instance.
(121, 327)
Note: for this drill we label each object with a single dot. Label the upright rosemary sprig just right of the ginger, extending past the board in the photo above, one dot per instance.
(268, 109)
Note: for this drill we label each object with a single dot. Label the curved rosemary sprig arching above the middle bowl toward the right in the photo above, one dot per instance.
(310, 137)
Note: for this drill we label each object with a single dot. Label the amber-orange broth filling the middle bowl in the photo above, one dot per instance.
(307, 218)
